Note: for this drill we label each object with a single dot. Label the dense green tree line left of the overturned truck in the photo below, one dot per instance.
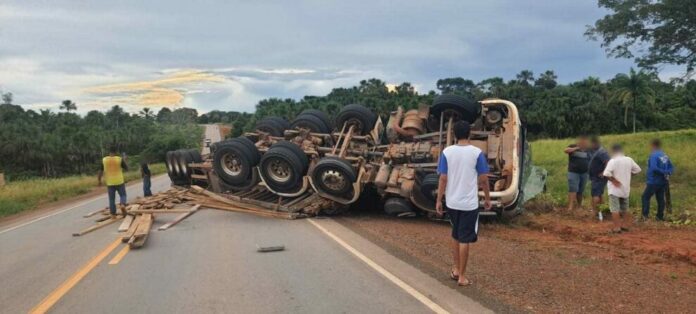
(50, 144)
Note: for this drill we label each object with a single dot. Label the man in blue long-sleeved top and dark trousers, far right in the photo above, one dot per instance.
(659, 170)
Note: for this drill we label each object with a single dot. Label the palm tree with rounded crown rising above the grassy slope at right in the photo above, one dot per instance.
(630, 89)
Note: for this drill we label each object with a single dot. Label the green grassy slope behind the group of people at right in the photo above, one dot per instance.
(679, 145)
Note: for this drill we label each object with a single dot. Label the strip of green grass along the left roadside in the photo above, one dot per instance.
(29, 194)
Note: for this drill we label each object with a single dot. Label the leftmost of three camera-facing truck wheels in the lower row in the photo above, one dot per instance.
(232, 163)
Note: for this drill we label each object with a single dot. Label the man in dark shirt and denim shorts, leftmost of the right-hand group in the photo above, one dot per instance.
(578, 164)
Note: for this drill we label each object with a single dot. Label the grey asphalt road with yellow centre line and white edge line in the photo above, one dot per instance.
(208, 263)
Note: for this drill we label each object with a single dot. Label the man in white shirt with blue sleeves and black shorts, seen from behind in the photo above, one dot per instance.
(463, 168)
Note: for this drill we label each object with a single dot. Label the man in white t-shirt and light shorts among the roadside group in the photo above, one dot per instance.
(619, 170)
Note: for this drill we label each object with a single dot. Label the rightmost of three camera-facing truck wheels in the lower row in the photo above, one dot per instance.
(334, 176)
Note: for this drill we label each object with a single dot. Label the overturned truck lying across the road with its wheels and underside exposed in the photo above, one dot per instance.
(336, 160)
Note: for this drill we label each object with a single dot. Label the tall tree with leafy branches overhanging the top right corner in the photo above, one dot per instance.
(653, 32)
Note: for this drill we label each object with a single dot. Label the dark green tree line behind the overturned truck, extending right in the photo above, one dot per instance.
(634, 101)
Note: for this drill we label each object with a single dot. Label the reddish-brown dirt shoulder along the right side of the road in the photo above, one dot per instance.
(554, 262)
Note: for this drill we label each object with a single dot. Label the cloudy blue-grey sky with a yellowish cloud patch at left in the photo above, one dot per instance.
(228, 55)
